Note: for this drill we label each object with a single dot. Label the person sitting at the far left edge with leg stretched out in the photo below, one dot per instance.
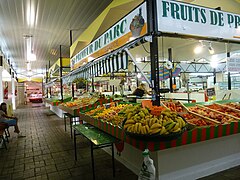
(10, 120)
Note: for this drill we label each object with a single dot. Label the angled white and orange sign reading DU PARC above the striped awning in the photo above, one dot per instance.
(131, 26)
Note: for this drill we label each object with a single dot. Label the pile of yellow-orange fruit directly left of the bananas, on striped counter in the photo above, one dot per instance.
(111, 114)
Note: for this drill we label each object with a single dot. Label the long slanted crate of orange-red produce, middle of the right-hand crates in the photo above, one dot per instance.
(207, 112)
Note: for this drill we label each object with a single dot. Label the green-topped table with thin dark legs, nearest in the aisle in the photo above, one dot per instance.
(97, 138)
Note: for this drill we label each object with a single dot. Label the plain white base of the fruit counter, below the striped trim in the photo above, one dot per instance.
(187, 162)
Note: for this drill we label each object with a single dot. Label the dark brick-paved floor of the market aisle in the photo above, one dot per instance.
(47, 151)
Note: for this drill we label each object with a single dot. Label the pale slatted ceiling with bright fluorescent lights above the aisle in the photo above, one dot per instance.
(49, 23)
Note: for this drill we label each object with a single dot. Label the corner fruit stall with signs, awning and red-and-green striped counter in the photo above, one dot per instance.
(170, 40)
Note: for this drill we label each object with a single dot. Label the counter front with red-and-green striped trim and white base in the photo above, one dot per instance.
(179, 158)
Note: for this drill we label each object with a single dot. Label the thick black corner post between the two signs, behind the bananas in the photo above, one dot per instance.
(152, 28)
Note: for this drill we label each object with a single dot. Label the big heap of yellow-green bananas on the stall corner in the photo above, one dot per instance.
(140, 121)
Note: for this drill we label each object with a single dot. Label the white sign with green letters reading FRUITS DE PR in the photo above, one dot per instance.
(188, 19)
